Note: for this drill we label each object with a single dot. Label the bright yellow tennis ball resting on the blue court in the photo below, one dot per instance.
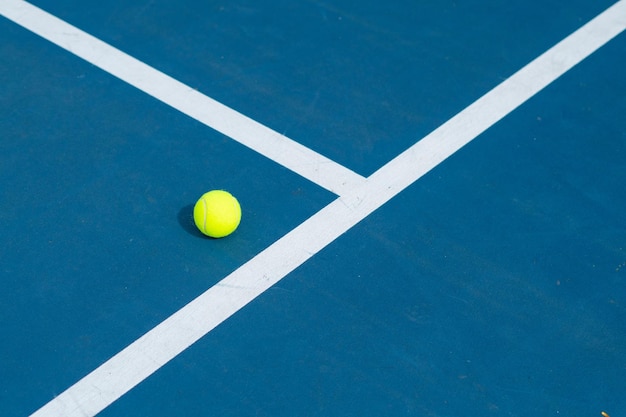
(217, 213)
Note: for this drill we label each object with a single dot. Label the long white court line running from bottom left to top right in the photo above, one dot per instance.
(139, 360)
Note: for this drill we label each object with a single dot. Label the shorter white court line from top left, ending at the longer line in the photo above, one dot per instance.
(279, 148)
